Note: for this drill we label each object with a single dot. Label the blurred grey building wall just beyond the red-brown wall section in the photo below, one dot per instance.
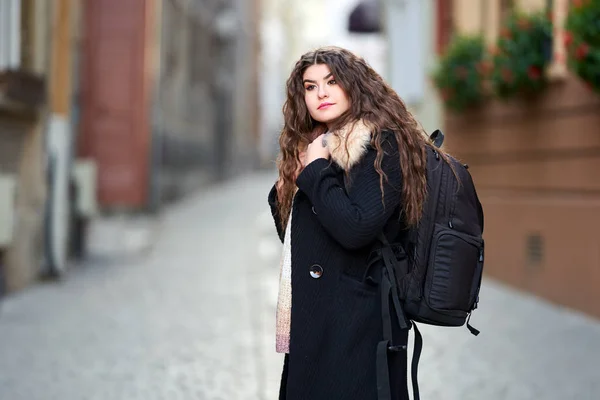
(206, 116)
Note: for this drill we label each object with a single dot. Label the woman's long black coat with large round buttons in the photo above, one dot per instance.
(336, 319)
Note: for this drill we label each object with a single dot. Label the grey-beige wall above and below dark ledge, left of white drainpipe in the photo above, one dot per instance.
(22, 152)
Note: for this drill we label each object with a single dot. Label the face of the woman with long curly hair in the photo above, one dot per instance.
(324, 98)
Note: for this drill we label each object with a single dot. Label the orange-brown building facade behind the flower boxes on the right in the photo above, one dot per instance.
(534, 163)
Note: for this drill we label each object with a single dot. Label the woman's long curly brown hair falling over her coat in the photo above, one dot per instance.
(372, 100)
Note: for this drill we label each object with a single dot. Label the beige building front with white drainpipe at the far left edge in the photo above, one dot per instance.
(36, 161)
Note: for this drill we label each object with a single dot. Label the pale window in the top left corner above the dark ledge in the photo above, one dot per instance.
(10, 34)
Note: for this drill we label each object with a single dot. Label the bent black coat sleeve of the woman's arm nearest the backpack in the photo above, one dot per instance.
(356, 218)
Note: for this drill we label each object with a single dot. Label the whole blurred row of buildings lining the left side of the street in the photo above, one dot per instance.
(116, 106)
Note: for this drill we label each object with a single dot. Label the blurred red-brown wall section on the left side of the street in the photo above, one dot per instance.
(115, 129)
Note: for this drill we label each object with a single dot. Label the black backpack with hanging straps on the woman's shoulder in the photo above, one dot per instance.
(437, 278)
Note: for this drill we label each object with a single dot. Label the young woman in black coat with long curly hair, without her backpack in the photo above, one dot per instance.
(352, 166)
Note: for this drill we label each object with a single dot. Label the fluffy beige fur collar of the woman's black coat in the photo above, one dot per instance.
(348, 145)
